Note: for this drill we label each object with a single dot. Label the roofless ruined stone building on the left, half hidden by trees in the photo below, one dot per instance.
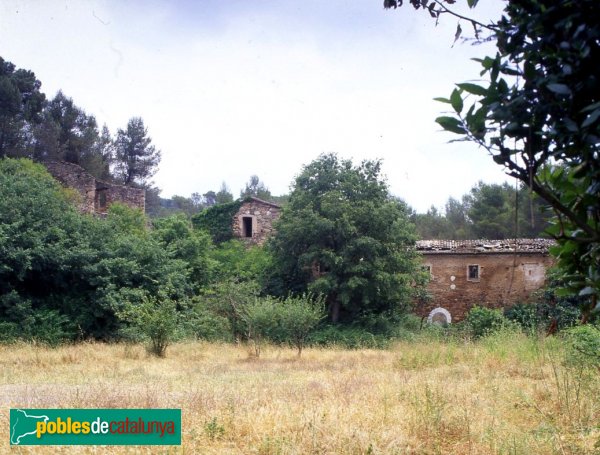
(96, 195)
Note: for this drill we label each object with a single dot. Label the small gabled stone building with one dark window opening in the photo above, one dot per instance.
(253, 221)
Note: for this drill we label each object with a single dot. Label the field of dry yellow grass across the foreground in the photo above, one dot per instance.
(505, 395)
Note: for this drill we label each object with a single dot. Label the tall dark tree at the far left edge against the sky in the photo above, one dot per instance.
(21, 103)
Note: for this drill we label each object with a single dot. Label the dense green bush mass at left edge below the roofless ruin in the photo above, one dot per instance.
(64, 275)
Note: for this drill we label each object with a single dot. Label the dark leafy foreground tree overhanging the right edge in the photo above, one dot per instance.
(538, 115)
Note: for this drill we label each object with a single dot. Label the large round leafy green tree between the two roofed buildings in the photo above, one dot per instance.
(342, 236)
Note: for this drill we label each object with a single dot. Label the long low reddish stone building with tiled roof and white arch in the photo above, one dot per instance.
(487, 273)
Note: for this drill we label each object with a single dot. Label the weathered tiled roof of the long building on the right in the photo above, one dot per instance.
(484, 246)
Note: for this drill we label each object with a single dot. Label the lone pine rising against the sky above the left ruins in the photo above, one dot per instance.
(136, 158)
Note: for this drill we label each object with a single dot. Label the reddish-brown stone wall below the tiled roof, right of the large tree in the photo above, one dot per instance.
(504, 279)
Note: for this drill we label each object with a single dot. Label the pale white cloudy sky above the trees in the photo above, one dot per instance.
(239, 87)
